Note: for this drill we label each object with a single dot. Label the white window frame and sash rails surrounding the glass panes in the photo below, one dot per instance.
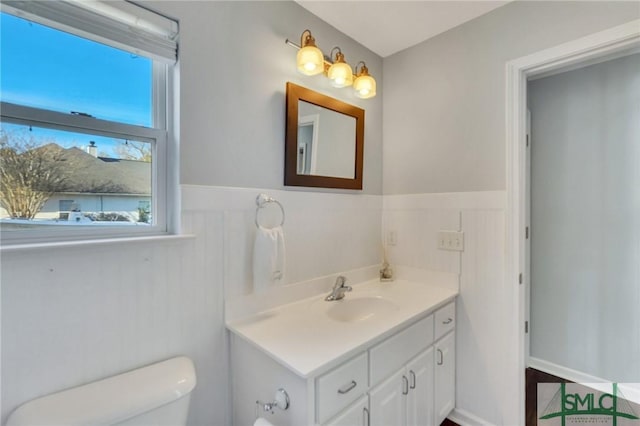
(164, 191)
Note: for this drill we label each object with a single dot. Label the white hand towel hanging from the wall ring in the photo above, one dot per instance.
(268, 258)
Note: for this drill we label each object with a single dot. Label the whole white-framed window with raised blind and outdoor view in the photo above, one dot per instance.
(83, 126)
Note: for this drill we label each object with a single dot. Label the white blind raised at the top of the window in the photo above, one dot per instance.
(120, 24)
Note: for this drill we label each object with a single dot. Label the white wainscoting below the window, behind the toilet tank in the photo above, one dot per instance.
(75, 315)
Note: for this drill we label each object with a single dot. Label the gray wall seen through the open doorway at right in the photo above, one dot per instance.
(585, 244)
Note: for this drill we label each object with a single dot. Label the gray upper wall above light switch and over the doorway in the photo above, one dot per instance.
(444, 99)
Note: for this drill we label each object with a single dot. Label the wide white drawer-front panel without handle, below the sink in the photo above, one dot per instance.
(393, 353)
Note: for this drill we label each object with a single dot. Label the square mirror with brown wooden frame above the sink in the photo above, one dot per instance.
(324, 141)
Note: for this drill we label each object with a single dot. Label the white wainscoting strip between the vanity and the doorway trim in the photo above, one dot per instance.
(481, 315)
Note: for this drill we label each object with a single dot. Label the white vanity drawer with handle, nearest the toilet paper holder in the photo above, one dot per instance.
(340, 387)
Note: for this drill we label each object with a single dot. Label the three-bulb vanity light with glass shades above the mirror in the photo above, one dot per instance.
(311, 61)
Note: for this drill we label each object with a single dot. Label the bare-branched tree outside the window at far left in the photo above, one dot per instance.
(30, 173)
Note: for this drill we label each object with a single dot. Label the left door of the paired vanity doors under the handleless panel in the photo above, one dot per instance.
(387, 401)
